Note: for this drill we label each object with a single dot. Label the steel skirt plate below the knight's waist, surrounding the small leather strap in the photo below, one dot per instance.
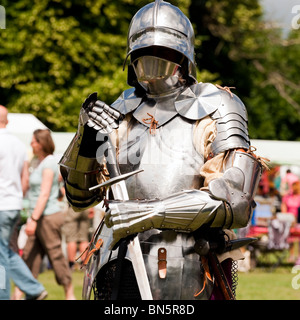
(185, 275)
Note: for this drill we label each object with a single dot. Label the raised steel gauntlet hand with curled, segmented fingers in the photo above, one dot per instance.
(98, 115)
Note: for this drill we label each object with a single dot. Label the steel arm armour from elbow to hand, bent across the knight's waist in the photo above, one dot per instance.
(229, 204)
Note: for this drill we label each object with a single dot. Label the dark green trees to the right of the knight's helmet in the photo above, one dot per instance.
(244, 51)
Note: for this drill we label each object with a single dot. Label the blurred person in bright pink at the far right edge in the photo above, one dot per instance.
(291, 204)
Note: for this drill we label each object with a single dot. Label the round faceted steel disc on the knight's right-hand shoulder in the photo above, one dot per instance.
(198, 101)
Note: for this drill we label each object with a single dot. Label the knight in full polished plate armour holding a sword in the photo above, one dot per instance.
(196, 174)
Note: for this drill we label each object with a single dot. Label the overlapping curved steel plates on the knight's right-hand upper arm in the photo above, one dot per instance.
(231, 124)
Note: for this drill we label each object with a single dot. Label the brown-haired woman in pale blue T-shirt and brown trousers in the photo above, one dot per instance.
(44, 225)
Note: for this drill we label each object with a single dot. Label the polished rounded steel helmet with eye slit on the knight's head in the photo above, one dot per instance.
(160, 24)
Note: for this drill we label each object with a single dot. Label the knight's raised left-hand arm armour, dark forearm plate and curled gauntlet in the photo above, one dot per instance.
(80, 167)
